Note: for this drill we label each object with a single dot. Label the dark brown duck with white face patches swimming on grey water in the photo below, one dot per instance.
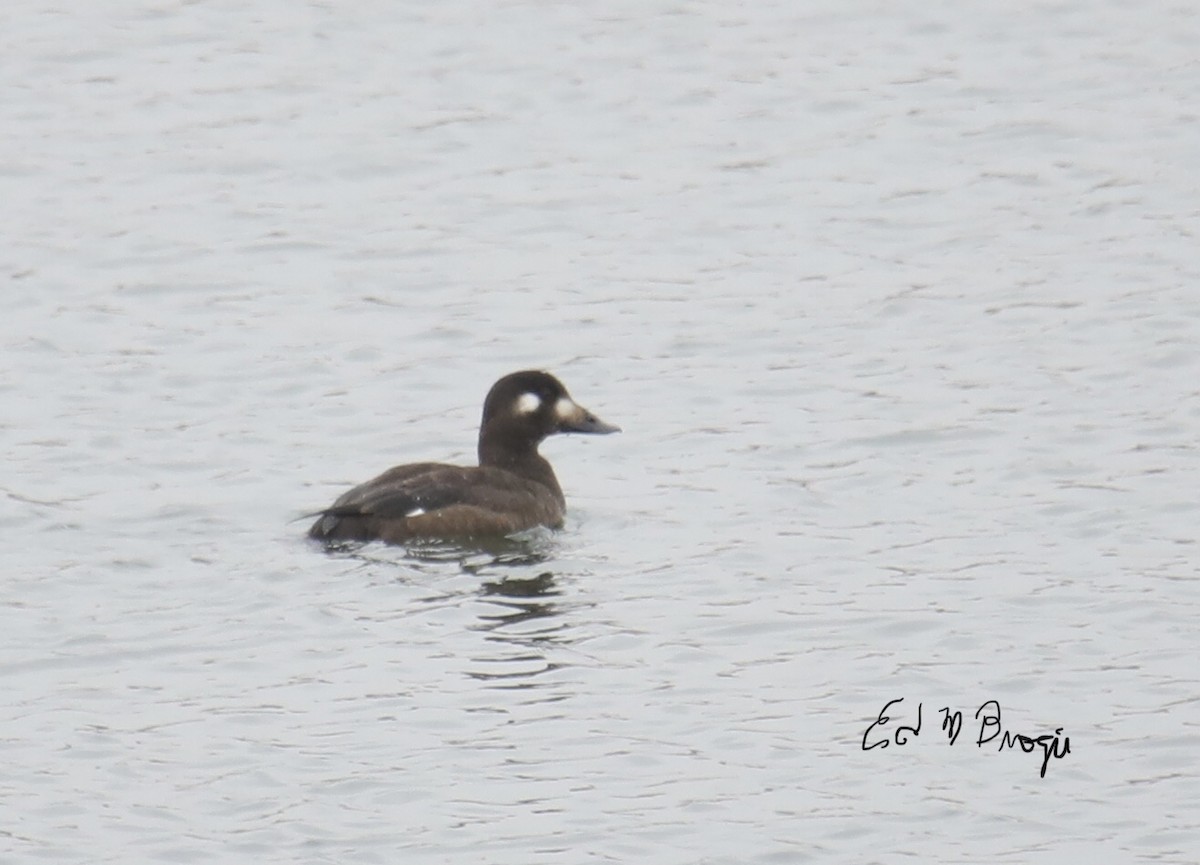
(513, 490)
